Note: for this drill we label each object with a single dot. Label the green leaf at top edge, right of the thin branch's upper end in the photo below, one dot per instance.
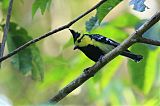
(105, 8)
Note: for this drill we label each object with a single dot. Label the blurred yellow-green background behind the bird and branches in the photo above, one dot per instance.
(121, 82)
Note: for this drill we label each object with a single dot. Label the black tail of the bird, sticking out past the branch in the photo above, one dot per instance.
(136, 58)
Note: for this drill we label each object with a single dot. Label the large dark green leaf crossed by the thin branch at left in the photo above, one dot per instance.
(28, 59)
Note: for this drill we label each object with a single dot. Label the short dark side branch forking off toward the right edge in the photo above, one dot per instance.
(148, 41)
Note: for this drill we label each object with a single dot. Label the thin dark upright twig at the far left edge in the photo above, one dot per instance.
(6, 28)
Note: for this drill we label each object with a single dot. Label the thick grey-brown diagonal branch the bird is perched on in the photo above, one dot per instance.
(106, 59)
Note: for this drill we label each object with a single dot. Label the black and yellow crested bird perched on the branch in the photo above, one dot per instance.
(95, 46)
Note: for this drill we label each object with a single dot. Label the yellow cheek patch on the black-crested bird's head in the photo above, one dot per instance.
(86, 40)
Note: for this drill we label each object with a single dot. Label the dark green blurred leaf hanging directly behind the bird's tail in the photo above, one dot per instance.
(137, 70)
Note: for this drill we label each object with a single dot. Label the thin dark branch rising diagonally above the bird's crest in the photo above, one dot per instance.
(51, 32)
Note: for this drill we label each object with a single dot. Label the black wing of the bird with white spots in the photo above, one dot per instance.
(105, 40)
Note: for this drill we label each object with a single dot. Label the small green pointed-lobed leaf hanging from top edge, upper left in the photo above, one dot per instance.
(42, 4)
